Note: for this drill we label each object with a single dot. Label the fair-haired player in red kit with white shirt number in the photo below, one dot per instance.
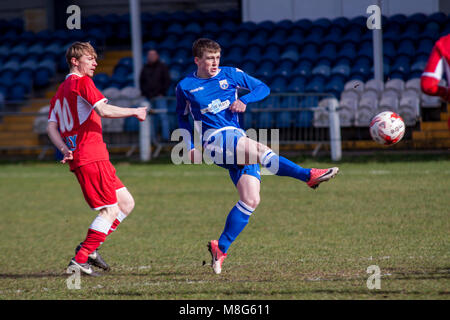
(74, 127)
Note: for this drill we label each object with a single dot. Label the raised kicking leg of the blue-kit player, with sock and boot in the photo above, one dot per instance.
(255, 152)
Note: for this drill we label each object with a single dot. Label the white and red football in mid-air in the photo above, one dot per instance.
(387, 128)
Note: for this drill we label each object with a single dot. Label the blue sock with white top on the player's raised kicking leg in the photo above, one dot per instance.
(281, 166)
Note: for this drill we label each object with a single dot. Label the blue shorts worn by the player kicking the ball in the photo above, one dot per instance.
(221, 145)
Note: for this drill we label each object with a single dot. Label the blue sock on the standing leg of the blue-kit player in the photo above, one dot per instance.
(236, 221)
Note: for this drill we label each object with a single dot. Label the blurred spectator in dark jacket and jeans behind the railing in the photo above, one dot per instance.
(154, 82)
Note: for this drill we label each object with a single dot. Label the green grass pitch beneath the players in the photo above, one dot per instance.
(388, 211)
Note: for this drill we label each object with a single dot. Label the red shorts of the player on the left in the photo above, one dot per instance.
(99, 183)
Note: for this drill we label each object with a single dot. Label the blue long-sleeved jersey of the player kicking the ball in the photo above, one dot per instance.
(208, 100)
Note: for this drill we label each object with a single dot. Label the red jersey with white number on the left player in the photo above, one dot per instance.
(79, 125)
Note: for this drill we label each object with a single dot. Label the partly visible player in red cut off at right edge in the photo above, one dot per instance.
(438, 62)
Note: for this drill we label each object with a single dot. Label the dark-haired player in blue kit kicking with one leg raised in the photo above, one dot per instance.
(210, 96)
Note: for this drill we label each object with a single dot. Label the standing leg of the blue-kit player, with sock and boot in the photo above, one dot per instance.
(248, 187)
